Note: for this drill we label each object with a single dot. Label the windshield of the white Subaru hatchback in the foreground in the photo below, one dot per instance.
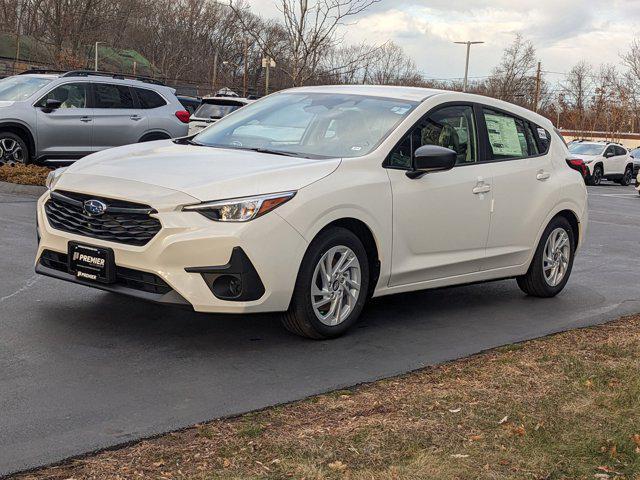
(313, 125)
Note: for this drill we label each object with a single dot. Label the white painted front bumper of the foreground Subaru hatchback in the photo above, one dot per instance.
(186, 248)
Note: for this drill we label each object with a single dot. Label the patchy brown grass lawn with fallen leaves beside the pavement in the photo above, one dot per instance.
(562, 407)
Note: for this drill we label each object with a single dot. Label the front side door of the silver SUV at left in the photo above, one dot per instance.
(66, 132)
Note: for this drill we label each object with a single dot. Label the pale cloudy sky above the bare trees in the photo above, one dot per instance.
(563, 31)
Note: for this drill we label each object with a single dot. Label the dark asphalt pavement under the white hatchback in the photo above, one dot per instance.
(82, 369)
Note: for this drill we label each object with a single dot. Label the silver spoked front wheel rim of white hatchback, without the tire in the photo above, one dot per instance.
(335, 285)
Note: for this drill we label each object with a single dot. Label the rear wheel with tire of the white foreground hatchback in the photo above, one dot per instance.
(552, 263)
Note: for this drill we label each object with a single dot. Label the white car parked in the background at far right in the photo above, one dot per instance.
(604, 160)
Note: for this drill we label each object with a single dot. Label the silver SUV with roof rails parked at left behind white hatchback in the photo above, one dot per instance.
(67, 116)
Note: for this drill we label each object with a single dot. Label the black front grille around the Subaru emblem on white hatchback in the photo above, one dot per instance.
(123, 222)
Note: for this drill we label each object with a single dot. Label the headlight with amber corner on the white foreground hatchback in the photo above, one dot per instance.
(240, 209)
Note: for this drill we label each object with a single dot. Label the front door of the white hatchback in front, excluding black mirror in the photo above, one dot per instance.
(440, 220)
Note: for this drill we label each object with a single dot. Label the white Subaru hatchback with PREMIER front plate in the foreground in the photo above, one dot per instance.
(314, 199)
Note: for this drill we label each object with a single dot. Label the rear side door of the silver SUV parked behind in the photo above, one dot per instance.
(118, 120)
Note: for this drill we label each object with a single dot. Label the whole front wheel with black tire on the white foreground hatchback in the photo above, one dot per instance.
(331, 288)
